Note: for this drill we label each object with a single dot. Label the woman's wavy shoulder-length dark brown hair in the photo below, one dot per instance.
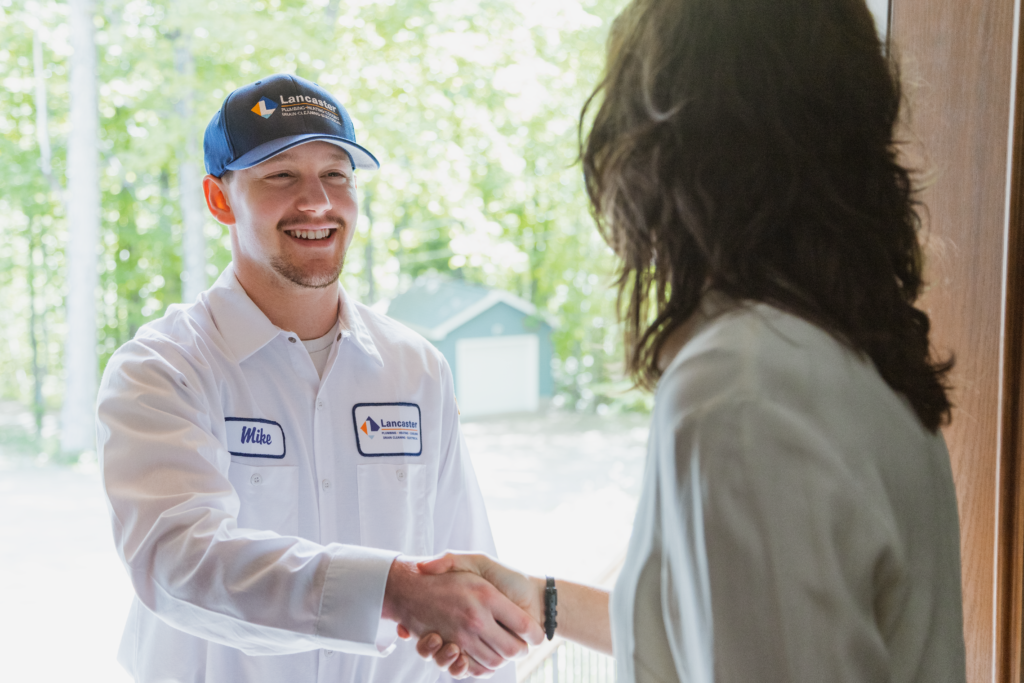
(747, 147)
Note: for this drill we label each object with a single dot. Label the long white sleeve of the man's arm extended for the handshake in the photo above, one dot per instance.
(175, 516)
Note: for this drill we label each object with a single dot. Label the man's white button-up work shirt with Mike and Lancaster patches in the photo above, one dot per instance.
(259, 508)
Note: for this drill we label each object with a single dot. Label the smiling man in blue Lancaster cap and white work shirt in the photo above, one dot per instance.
(275, 453)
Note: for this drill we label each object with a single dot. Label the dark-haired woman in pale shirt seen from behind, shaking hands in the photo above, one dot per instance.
(798, 521)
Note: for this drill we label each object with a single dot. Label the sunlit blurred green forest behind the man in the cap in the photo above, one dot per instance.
(472, 106)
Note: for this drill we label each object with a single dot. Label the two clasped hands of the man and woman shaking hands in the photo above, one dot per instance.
(471, 614)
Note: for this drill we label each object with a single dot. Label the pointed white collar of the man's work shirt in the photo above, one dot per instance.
(246, 329)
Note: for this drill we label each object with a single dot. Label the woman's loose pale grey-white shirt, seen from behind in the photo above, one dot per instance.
(797, 525)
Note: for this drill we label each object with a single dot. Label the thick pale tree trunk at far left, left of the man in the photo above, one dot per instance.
(77, 431)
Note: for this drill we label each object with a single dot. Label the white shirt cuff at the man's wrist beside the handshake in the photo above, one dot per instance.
(353, 600)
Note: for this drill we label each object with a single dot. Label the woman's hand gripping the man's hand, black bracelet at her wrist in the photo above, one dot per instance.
(527, 592)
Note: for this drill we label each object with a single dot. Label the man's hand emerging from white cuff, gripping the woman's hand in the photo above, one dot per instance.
(462, 609)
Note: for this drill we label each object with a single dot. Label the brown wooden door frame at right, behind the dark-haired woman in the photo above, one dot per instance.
(962, 66)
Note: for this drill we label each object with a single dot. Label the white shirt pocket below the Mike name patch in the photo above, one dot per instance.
(269, 497)
